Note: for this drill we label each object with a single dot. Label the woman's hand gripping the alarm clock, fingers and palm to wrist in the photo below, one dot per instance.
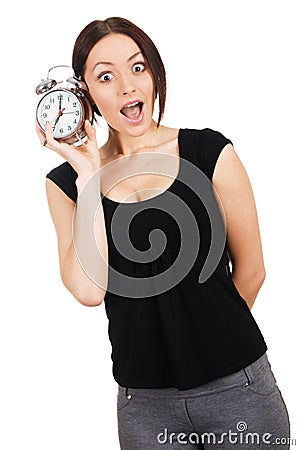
(85, 158)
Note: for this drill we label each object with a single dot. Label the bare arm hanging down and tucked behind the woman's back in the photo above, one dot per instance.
(243, 237)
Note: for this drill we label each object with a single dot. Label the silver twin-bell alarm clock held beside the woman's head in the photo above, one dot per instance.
(65, 105)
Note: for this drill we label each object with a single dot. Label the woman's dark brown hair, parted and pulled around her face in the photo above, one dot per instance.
(97, 29)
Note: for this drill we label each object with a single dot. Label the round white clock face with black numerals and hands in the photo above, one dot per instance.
(63, 110)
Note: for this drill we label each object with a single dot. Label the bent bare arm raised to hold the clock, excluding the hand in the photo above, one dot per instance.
(66, 214)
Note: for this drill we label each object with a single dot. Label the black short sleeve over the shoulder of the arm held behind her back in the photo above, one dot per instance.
(211, 143)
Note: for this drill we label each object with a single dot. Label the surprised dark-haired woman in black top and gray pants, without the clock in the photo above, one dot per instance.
(188, 357)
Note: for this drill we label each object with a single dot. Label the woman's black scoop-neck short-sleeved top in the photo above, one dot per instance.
(185, 332)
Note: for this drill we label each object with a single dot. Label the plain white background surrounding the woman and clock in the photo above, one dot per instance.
(232, 66)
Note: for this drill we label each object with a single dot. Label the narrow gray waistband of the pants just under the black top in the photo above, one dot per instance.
(249, 372)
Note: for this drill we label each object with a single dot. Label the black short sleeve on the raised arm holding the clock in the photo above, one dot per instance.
(64, 176)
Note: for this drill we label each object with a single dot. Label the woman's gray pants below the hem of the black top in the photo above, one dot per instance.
(244, 410)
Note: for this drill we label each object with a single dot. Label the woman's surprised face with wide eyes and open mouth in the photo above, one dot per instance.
(121, 84)
